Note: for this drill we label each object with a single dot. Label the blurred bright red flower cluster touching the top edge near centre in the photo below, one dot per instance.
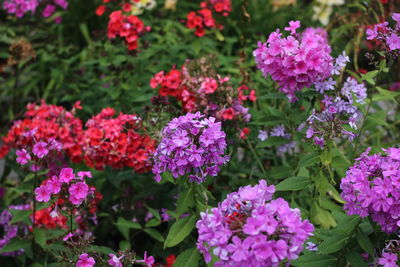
(203, 18)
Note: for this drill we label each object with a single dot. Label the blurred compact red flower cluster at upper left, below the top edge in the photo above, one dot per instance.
(128, 27)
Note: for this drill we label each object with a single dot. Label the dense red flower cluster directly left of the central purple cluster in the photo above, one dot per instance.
(114, 142)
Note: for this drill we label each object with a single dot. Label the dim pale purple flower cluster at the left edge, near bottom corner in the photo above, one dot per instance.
(9, 230)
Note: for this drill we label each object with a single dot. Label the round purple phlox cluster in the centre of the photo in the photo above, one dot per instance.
(191, 144)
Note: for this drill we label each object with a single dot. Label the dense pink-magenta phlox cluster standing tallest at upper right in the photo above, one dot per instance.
(296, 61)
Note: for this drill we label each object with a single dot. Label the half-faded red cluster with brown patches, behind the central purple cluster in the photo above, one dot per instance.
(198, 87)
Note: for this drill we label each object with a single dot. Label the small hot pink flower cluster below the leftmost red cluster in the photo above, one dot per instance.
(66, 183)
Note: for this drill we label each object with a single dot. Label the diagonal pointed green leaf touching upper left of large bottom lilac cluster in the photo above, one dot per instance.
(179, 231)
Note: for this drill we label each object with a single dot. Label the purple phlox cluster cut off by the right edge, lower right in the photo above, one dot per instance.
(372, 188)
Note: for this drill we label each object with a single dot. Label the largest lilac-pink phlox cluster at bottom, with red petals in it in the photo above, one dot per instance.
(250, 229)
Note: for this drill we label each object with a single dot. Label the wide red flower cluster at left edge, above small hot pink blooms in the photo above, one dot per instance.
(43, 123)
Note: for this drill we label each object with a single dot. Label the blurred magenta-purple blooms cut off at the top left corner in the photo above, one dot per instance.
(20, 7)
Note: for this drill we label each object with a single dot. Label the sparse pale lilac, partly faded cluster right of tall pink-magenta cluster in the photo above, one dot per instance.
(338, 107)
